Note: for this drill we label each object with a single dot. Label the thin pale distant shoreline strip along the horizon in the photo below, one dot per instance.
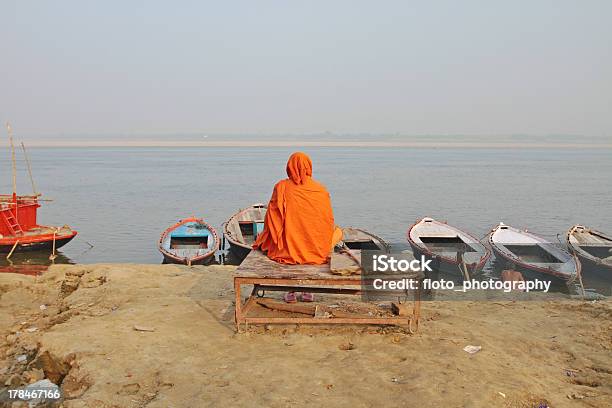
(311, 143)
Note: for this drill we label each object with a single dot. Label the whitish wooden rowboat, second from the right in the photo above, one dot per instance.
(533, 256)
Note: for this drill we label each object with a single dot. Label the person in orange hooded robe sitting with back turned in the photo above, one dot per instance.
(299, 224)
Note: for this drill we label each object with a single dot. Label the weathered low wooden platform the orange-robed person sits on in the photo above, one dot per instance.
(266, 275)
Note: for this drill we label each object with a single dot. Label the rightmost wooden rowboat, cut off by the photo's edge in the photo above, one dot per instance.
(593, 248)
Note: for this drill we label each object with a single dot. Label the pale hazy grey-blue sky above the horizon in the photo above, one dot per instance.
(437, 67)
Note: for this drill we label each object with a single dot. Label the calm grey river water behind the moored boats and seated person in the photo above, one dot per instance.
(121, 199)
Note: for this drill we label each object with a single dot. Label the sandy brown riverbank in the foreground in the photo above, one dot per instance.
(532, 352)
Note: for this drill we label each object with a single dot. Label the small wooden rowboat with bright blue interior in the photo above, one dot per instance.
(190, 242)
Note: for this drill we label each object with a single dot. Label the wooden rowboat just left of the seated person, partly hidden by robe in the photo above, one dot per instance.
(242, 228)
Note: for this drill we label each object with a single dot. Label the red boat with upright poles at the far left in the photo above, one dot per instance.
(19, 229)
